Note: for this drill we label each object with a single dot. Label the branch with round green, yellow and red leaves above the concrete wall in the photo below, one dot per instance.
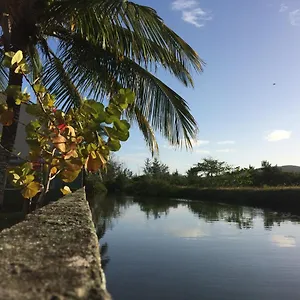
(65, 143)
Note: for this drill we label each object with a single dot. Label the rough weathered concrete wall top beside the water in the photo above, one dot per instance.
(53, 254)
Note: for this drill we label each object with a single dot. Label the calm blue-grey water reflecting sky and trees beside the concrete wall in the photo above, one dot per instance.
(179, 250)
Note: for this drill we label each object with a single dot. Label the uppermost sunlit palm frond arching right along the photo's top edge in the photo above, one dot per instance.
(134, 31)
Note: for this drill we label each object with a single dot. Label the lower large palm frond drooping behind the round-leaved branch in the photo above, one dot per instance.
(96, 70)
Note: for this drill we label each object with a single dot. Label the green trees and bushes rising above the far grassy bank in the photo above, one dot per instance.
(208, 173)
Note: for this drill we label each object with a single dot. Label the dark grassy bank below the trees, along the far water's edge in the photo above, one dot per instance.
(284, 199)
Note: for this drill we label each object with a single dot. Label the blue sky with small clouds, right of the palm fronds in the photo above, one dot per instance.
(243, 118)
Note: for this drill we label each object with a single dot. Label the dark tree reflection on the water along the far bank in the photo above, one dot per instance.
(105, 210)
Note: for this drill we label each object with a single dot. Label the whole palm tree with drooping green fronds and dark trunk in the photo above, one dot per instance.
(93, 48)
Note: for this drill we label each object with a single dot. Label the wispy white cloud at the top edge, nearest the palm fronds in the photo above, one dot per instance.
(192, 12)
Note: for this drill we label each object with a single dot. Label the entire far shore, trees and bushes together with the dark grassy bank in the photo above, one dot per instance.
(268, 187)
